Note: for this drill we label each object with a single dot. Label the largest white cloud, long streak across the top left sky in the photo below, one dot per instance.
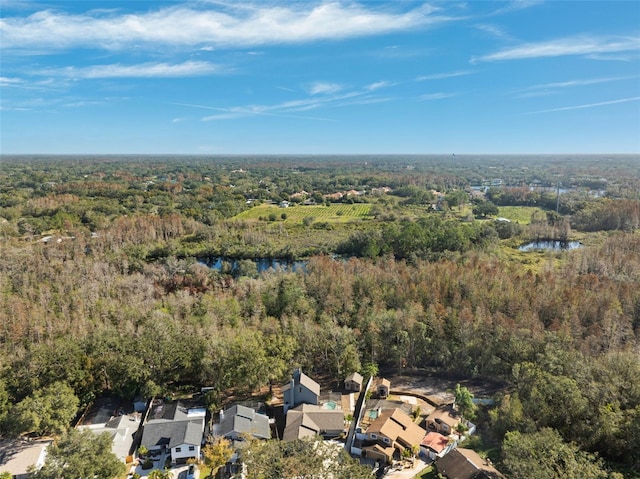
(211, 26)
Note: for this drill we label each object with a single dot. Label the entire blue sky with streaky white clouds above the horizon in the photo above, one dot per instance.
(222, 77)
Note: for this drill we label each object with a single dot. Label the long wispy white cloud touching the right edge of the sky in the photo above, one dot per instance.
(582, 45)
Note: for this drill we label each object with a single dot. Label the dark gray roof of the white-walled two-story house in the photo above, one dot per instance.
(163, 432)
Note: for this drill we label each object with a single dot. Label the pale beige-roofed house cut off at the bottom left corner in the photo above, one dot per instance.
(17, 457)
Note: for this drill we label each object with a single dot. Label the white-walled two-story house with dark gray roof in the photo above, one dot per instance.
(174, 429)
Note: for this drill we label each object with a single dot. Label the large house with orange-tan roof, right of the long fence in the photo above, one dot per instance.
(393, 428)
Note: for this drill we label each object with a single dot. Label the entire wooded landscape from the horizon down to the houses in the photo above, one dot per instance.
(105, 286)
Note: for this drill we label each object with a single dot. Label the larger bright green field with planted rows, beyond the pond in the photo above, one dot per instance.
(337, 213)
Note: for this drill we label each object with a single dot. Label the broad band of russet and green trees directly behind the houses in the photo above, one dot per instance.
(77, 314)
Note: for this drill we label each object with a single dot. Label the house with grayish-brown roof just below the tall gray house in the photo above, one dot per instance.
(311, 420)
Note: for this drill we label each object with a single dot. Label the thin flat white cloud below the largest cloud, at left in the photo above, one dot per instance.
(141, 70)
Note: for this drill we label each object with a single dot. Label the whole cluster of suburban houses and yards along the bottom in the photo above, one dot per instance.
(396, 434)
